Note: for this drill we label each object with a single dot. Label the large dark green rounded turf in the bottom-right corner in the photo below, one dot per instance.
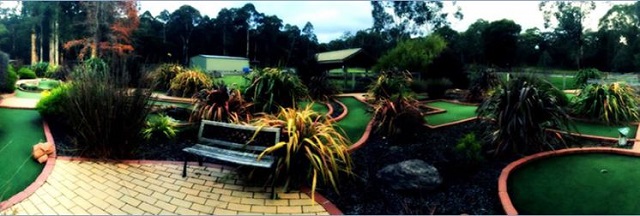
(601, 184)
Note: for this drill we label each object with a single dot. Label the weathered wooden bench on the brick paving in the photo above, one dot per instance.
(230, 143)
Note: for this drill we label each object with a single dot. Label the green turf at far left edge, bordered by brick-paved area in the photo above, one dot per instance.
(19, 131)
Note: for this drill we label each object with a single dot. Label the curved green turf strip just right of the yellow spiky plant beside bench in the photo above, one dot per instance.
(357, 119)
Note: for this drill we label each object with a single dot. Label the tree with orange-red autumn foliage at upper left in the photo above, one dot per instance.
(110, 26)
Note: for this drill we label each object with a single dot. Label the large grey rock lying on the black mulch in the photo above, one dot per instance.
(410, 175)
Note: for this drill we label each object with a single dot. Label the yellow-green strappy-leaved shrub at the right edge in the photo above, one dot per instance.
(613, 103)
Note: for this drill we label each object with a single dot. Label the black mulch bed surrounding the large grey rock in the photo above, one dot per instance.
(465, 188)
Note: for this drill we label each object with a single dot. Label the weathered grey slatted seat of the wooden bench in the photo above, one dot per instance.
(243, 158)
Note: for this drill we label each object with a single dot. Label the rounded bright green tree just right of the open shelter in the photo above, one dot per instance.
(413, 55)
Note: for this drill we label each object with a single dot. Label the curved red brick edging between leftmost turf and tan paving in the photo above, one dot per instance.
(46, 171)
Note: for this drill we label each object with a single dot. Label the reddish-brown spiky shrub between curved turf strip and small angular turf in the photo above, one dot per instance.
(400, 115)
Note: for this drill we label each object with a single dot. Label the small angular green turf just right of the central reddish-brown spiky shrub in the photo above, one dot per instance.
(455, 112)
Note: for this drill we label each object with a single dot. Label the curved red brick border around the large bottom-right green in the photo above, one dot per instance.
(505, 200)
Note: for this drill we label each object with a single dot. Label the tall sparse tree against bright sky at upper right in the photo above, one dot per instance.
(570, 17)
